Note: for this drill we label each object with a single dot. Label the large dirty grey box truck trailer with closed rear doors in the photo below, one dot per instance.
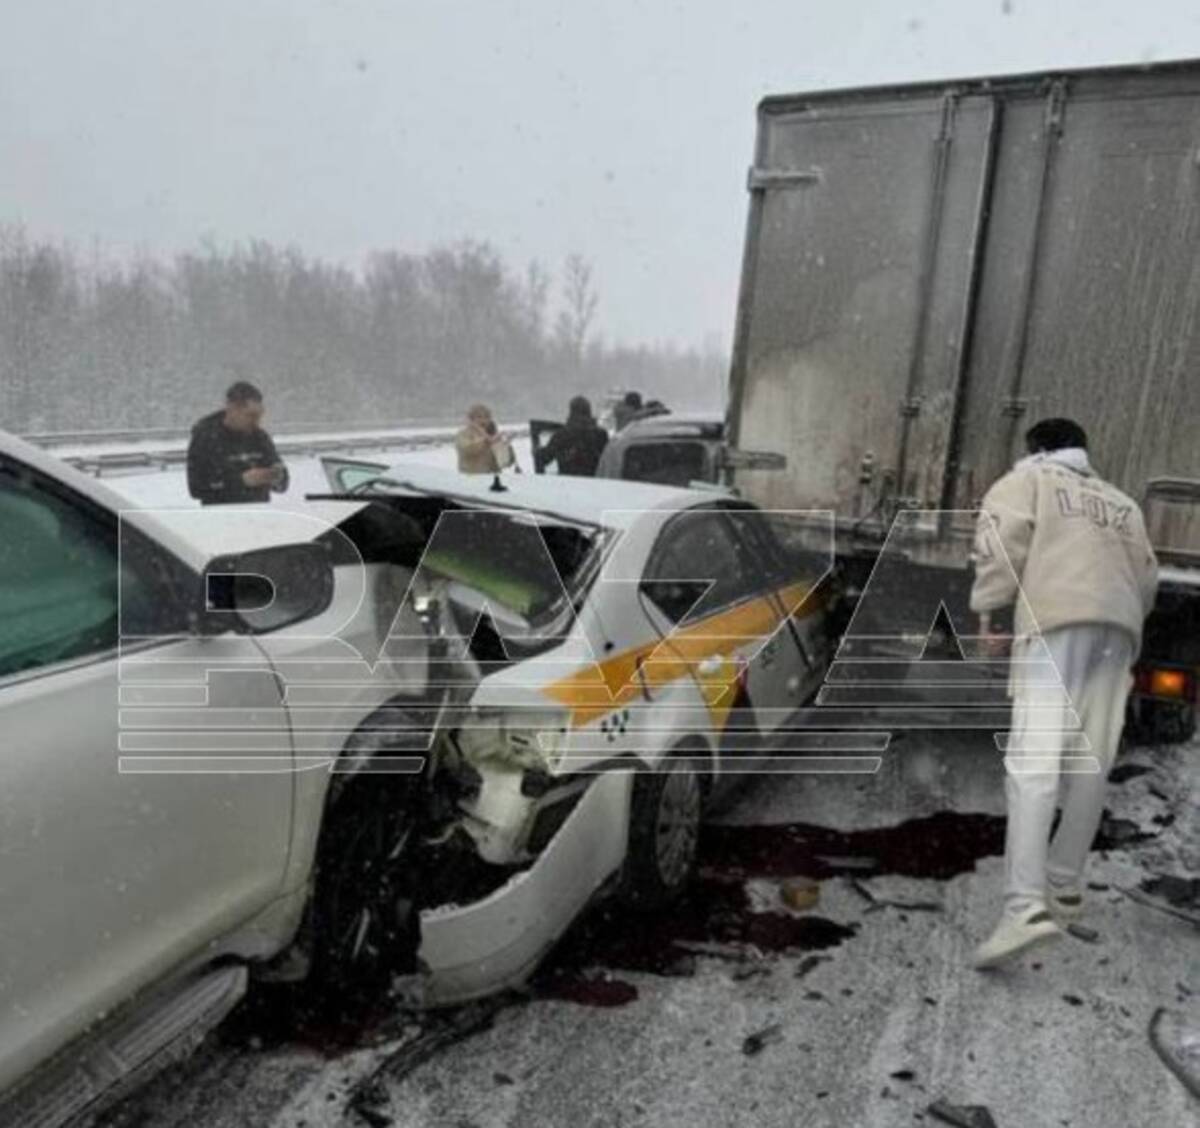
(929, 269)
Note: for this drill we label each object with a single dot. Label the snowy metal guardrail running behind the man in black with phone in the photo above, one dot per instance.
(173, 452)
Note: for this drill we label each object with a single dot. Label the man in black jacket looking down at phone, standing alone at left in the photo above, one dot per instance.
(231, 458)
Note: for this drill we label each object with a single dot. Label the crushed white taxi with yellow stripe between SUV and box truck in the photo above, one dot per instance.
(598, 640)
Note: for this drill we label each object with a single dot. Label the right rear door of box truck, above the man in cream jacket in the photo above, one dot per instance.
(1090, 289)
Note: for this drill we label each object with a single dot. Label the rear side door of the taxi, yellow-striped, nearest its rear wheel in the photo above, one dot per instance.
(713, 597)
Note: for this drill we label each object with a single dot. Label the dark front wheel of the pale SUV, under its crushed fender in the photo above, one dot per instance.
(367, 921)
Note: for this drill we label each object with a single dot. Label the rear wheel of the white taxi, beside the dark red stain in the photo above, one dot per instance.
(664, 833)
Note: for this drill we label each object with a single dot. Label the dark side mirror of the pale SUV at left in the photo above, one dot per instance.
(267, 590)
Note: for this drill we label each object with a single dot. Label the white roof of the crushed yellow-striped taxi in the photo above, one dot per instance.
(608, 501)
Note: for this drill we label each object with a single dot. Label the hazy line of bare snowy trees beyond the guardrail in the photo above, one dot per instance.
(91, 344)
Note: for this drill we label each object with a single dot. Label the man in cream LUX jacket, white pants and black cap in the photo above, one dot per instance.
(1071, 553)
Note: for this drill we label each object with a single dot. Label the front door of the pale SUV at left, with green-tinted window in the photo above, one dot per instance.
(111, 878)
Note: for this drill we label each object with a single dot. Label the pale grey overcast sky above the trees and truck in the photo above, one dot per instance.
(619, 129)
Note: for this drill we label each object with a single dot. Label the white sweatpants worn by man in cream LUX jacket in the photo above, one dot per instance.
(1066, 735)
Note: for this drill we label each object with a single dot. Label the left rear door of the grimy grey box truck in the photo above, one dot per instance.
(847, 353)
